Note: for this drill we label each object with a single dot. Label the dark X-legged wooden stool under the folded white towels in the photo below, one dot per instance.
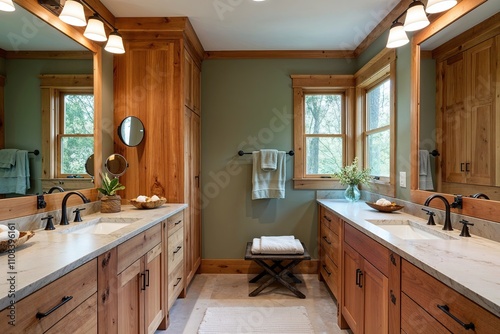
(276, 270)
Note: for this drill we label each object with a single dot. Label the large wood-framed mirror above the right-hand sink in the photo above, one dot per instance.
(468, 14)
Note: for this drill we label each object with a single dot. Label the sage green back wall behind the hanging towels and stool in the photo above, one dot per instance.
(248, 104)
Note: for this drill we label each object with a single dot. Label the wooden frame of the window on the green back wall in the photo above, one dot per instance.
(302, 85)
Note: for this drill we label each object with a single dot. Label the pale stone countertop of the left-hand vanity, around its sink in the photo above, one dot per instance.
(51, 254)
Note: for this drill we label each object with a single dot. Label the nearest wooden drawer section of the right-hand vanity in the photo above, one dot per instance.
(426, 302)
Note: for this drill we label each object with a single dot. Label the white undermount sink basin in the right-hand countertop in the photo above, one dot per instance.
(410, 230)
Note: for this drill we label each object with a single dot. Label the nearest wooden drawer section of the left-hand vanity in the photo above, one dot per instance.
(75, 293)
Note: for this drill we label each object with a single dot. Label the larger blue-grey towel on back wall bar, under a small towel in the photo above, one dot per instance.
(268, 184)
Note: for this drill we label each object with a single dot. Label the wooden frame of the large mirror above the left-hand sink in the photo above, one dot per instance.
(23, 206)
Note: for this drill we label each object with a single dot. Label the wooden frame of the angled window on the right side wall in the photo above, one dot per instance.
(380, 68)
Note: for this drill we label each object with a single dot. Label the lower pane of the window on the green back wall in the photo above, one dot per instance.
(324, 155)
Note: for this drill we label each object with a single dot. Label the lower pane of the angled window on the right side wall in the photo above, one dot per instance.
(378, 146)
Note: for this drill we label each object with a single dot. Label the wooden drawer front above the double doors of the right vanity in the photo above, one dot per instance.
(371, 250)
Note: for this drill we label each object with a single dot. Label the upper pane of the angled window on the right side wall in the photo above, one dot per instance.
(378, 106)
